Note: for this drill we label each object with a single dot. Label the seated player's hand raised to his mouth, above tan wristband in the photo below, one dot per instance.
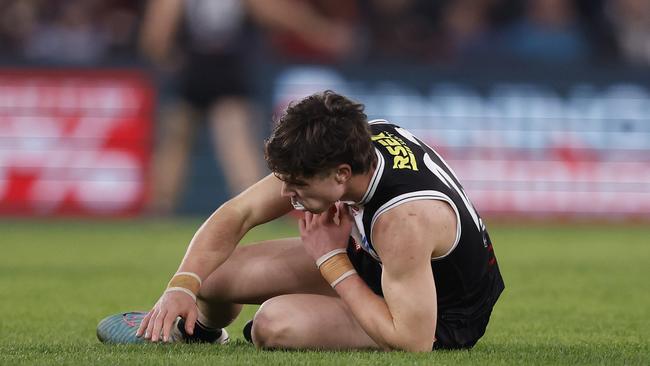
(324, 232)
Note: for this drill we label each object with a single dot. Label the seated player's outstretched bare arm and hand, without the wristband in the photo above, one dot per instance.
(212, 244)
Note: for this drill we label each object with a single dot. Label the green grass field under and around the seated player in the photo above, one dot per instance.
(575, 294)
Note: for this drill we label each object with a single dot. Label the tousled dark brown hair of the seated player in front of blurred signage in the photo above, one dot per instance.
(317, 134)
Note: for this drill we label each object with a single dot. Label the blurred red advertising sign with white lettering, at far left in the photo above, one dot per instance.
(74, 142)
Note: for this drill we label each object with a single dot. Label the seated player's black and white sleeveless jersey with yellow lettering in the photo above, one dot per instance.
(467, 277)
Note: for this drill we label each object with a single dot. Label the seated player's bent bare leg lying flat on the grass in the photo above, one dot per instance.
(305, 321)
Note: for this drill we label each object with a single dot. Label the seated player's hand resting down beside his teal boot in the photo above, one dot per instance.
(157, 324)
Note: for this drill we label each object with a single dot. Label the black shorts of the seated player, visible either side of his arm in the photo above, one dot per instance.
(452, 331)
